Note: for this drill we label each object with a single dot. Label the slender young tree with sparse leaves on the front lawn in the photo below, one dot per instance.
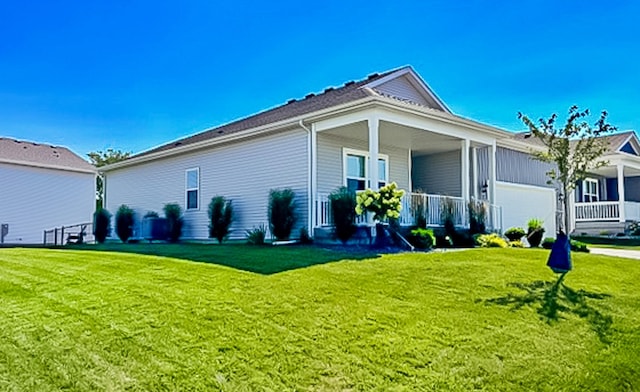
(574, 149)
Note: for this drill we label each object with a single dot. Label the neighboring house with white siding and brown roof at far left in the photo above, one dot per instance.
(42, 187)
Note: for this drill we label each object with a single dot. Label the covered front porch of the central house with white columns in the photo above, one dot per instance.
(436, 164)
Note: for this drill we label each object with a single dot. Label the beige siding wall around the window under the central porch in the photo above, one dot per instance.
(330, 162)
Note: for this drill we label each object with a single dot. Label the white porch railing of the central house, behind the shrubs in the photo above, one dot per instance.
(430, 206)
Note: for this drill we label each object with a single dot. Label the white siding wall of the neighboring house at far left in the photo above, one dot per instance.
(36, 199)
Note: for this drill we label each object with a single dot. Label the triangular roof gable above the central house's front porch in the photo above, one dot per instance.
(405, 85)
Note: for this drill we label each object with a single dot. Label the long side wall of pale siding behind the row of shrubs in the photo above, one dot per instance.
(243, 172)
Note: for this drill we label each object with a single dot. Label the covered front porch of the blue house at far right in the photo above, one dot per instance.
(612, 194)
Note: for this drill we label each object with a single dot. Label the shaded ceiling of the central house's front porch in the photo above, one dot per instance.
(420, 141)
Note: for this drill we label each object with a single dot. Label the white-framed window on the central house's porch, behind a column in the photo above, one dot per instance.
(356, 170)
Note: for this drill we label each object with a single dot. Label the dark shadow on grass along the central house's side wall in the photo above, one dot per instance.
(264, 260)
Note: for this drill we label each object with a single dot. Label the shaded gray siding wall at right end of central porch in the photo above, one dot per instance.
(438, 173)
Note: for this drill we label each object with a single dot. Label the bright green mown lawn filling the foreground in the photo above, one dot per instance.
(477, 319)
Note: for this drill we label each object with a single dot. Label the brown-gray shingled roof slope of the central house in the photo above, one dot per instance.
(348, 92)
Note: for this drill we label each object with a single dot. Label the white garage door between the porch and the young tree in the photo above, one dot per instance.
(523, 202)
